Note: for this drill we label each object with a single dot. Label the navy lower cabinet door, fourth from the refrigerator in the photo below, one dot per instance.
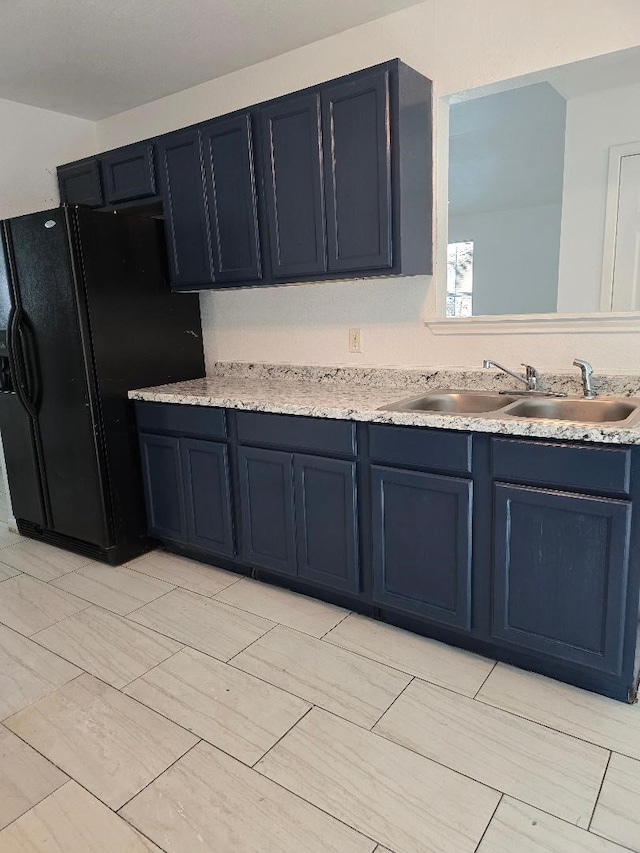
(326, 521)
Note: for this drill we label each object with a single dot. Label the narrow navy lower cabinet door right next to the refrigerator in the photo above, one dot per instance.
(162, 478)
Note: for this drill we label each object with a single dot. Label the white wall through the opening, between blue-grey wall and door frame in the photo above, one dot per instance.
(594, 123)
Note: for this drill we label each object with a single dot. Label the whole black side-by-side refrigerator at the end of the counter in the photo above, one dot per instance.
(86, 314)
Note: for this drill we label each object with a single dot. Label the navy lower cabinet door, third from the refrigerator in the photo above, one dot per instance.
(266, 504)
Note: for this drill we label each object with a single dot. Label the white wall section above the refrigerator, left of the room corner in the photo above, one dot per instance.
(32, 143)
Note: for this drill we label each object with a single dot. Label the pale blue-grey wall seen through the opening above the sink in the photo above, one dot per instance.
(506, 159)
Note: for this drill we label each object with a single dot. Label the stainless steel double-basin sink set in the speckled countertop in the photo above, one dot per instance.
(608, 410)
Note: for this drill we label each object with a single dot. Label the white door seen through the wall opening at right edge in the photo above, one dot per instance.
(626, 269)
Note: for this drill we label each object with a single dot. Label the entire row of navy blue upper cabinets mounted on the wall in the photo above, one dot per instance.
(330, 182)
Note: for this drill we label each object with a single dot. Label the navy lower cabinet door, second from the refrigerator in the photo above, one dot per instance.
(207, 495)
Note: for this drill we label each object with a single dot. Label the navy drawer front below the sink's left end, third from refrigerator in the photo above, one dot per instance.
(422, 448)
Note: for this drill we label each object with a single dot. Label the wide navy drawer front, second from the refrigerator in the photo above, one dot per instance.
(296, 433)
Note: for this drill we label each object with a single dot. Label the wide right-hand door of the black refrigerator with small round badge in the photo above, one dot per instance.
(60, 369)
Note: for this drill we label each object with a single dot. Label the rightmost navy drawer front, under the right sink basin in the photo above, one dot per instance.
(562, 465)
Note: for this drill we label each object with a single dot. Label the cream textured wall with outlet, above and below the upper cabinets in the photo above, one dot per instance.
(459, 44)
